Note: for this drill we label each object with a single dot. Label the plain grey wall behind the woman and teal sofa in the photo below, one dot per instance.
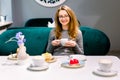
(100, 14)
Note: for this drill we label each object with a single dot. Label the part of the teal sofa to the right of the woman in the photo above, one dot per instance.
(96, 42)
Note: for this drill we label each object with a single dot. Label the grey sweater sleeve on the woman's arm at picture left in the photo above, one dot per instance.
(50, 48)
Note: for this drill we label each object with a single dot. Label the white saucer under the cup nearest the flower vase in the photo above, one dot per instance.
(39, 68)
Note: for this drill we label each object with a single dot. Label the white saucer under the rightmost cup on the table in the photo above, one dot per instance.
(105, 74)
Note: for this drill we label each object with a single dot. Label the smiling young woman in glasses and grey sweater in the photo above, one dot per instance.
(66, 26)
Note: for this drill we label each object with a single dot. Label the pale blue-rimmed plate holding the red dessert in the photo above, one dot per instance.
(67, 65)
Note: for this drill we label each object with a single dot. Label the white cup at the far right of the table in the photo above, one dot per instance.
(105, 65)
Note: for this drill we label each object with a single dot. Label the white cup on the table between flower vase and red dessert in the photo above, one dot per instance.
(38, 61)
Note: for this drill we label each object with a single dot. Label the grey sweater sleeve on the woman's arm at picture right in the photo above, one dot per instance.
(78, 49)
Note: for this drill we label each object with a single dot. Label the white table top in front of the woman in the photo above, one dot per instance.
(56, 72)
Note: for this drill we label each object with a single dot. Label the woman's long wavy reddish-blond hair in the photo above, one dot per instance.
(73, 24)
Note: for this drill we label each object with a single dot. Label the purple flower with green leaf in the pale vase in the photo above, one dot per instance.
(19, 38)
